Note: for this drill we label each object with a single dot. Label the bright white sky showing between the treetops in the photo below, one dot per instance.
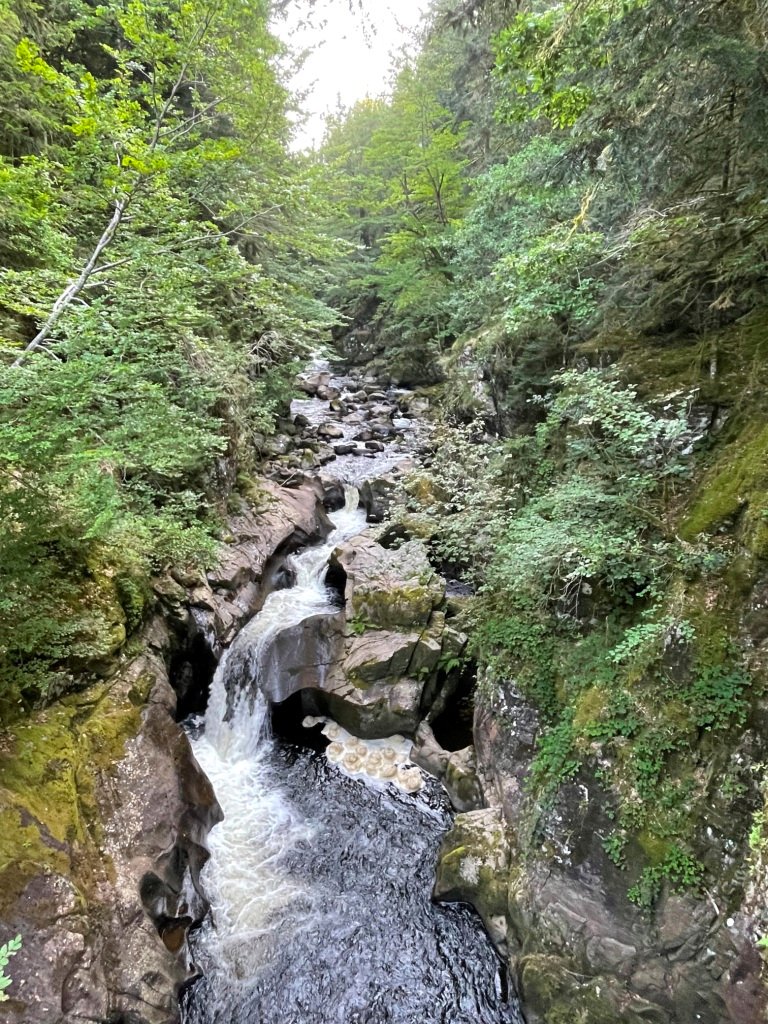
(351, 56)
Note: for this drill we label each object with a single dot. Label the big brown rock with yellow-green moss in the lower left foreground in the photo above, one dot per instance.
(104, 818)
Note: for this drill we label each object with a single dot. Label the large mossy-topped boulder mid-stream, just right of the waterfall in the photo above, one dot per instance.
(373, 666)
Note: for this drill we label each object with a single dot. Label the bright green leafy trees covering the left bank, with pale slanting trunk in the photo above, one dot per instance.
(168, 340)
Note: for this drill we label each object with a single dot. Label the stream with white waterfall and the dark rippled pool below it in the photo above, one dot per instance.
(321, 880)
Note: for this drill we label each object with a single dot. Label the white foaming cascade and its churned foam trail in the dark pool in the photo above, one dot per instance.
(243, 879)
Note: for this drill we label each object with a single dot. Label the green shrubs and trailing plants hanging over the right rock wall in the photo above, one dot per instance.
(563, 533)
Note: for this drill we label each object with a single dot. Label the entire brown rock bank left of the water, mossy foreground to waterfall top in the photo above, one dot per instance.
(104, 810)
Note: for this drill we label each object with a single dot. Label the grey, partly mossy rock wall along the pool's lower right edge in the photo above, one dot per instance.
(558, 906)
